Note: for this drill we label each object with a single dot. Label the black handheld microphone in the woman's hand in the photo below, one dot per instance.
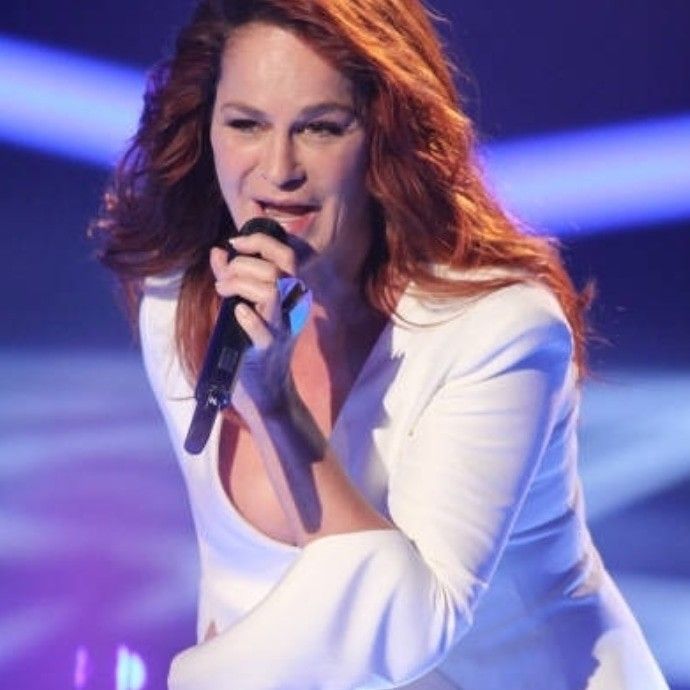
(226, 346)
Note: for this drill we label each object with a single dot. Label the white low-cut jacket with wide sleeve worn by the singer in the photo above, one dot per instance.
(460, 429)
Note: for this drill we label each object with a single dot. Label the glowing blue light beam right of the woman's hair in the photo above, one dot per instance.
(607, 178)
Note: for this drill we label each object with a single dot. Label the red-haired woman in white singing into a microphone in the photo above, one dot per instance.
(394, 499)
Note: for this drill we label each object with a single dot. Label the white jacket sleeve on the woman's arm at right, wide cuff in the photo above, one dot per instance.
(378, 609)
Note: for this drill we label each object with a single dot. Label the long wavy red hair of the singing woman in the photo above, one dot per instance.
(163, 209)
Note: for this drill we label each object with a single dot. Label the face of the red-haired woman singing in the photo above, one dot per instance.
(287, 143)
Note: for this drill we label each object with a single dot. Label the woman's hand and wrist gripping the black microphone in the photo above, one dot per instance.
(264, 382)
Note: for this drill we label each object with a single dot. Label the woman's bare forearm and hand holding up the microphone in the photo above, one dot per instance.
(316, 495)
